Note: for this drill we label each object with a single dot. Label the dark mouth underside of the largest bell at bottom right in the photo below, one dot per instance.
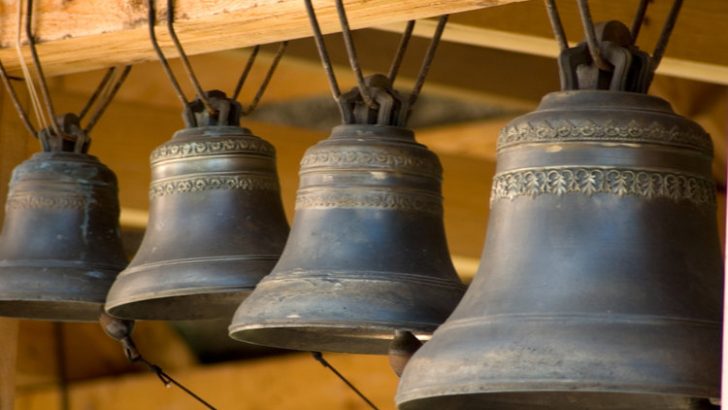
(566, 400)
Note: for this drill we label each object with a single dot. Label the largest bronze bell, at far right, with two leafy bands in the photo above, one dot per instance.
(600, 284)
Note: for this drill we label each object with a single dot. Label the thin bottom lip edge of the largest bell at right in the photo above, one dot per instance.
(405, 401)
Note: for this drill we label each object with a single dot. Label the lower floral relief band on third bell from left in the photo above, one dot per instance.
(383, 200)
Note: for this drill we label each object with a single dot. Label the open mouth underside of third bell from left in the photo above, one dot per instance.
(333, 338)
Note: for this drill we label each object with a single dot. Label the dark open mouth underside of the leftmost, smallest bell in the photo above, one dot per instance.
(54, 310)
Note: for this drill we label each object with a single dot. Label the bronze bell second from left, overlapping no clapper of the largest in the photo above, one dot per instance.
(216, 221)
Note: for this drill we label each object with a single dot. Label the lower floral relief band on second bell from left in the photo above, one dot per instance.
(208, 183)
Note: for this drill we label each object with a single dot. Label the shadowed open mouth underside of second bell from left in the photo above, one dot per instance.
(196, 304)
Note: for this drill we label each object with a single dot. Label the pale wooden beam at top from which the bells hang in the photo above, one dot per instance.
(85, 35)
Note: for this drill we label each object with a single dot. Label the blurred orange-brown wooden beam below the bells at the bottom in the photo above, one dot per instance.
(288, 382)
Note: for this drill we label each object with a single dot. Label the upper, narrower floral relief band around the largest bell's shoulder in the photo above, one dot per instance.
(611, 131)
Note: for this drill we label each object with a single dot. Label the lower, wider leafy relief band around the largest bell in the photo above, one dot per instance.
(622, 182)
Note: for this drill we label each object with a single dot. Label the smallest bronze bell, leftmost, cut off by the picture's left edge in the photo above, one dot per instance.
(60, 246)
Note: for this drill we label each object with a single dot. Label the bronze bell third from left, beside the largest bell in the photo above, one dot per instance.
(367, 253)
